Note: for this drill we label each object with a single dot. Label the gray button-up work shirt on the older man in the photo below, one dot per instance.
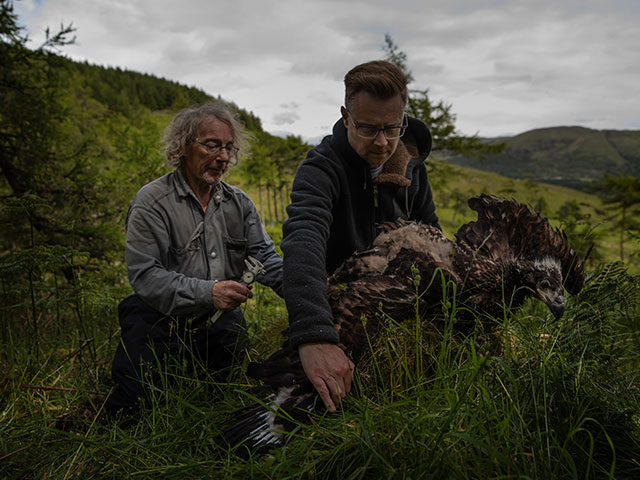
(175, 251)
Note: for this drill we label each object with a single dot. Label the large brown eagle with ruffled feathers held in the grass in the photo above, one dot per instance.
(510, 253)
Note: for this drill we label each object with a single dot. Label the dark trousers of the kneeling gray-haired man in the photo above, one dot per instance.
(152, 344)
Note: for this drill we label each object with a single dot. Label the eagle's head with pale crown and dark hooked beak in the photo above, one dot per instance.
(543, 277)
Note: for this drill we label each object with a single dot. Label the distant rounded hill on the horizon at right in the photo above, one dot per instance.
(568, 156)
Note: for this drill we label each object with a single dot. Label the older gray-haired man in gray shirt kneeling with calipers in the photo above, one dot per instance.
(188, 235)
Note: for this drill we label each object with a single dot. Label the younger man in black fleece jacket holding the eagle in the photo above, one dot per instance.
(370, 170)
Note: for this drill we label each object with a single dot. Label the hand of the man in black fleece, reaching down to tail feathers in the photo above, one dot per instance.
(328, 369)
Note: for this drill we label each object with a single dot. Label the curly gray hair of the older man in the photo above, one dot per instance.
(185, 125)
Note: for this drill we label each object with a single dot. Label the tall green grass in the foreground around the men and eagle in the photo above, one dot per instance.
(532, 399)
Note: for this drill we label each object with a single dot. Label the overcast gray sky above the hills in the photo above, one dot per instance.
(505, 66)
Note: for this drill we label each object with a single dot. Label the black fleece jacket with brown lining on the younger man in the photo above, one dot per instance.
(335, 209)
